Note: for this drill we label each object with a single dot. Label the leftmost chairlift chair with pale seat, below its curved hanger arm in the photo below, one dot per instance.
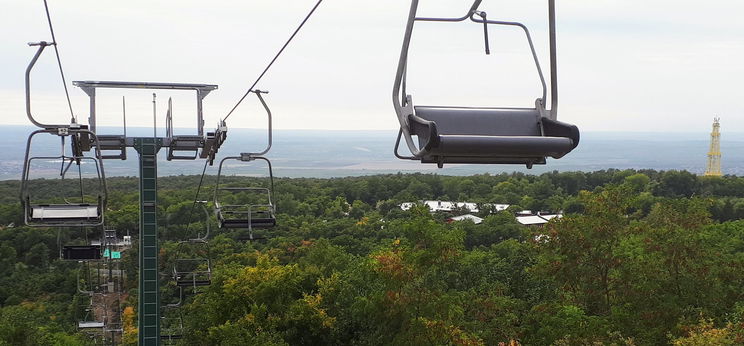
(67, 214)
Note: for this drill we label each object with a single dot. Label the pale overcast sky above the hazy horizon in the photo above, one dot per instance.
(623, 65)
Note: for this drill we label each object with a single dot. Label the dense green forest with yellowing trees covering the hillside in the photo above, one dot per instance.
(641, 257)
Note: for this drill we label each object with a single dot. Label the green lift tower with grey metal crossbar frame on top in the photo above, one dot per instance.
(181, 147)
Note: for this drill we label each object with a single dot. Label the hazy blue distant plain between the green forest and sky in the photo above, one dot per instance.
(324, 154)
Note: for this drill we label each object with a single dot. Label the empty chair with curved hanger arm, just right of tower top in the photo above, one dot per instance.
(247, 216)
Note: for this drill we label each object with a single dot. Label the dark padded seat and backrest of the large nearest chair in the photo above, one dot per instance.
(488, 135)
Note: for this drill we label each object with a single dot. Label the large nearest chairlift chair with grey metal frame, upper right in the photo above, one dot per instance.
(481, 135)
